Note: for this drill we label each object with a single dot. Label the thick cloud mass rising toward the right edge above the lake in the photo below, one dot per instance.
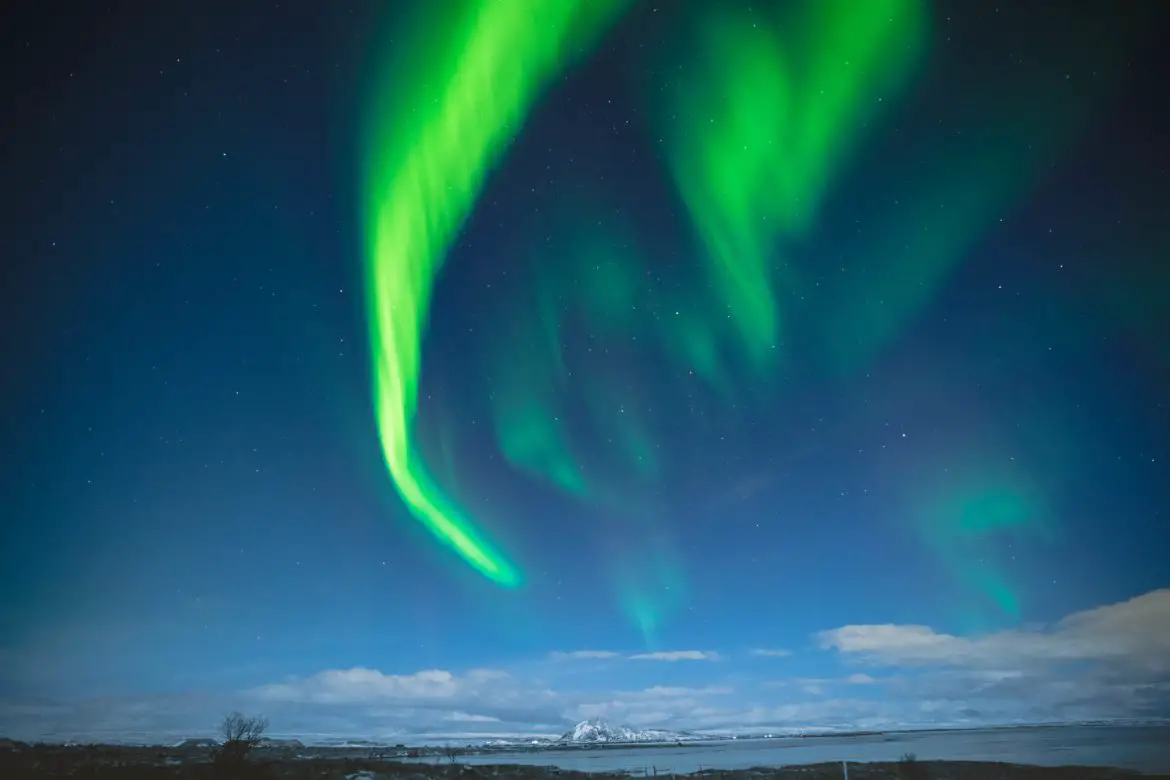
(1106, 662)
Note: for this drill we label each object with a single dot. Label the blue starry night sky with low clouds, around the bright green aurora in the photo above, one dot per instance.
(197, 514)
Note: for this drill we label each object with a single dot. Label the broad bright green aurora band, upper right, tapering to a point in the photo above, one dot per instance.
(759, 123)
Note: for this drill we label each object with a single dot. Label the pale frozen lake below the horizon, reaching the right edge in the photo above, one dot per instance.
(1146, 749)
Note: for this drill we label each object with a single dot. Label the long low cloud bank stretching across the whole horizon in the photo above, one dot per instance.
(1107, 662)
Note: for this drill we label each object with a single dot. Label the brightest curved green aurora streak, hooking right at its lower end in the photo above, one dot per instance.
(436, 134)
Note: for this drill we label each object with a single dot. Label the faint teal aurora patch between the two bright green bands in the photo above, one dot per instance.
(589, 282)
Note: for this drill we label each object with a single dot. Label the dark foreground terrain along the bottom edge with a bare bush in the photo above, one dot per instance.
(352, 764)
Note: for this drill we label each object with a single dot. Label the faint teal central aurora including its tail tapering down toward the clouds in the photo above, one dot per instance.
(572, 406)
